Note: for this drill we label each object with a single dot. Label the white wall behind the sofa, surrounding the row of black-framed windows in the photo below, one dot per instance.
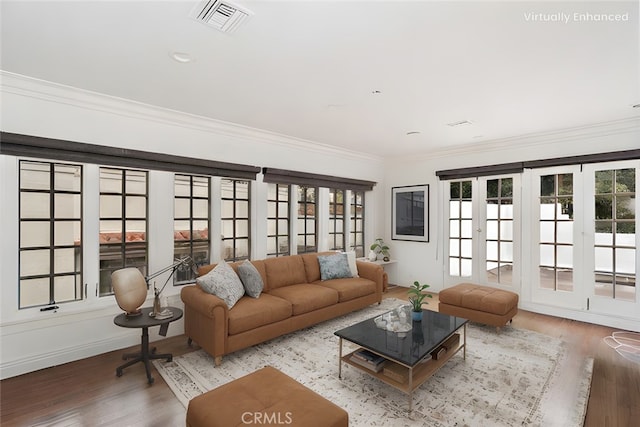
(30, 339)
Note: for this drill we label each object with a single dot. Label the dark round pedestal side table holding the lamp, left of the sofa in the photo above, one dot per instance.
(144, 321)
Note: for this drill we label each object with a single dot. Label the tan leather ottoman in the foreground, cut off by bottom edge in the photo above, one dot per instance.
(264, 397)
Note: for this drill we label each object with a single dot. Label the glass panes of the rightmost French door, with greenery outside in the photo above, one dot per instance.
(615, 233)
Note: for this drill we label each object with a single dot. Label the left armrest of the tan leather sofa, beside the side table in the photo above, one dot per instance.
(205, 320)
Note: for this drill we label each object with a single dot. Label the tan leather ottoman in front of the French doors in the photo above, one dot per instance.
(481, 304)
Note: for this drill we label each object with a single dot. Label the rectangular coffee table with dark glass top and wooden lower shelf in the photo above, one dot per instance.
(411, 357)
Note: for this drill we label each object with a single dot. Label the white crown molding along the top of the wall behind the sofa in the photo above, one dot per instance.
(30, 87)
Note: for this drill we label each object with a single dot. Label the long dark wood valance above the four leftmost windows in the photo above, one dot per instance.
(56, 149)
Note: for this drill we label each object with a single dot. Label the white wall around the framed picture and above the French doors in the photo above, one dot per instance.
(424, 261)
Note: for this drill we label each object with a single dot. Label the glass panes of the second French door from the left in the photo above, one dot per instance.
(499, 239)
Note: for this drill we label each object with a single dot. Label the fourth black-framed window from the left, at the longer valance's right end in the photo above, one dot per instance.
(235, 198)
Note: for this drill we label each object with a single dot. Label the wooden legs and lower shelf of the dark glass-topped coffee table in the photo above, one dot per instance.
(415, 375)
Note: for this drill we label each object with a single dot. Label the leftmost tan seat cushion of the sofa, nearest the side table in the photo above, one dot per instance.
(251, 313)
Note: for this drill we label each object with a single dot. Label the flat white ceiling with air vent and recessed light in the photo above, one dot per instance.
(309, 69)
